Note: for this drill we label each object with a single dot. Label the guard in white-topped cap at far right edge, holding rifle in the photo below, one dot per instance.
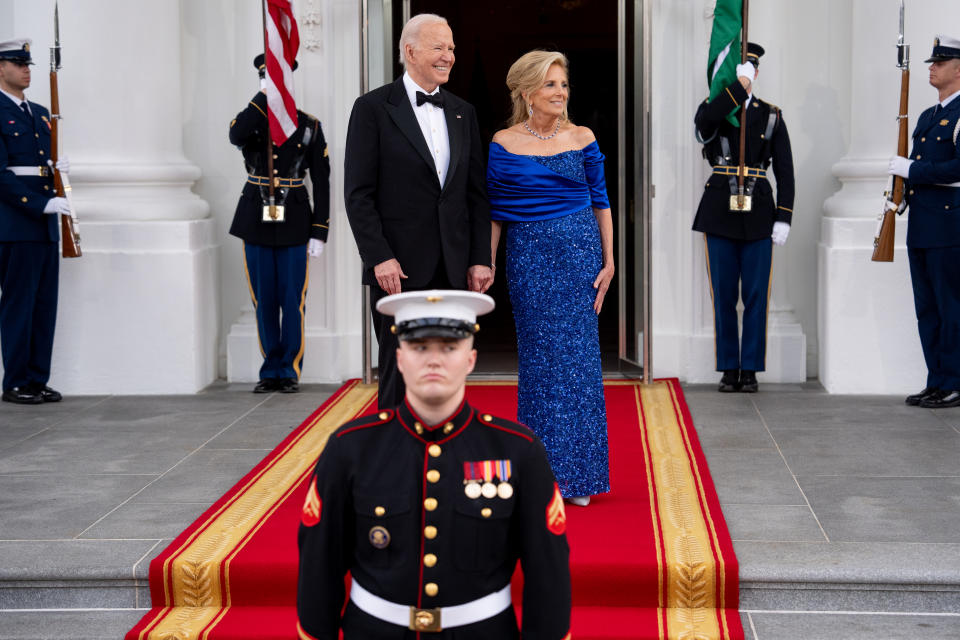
(933, 228)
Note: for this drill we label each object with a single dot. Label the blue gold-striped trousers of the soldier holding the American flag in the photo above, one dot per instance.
(278, 278)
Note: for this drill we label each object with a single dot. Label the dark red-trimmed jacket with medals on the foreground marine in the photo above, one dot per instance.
(388, 477)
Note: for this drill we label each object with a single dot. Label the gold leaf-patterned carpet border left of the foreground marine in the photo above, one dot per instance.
(198, 597)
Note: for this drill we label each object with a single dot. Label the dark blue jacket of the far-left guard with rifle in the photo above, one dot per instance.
(25, 142)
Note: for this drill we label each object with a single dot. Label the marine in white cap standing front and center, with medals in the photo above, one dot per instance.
(430, 505)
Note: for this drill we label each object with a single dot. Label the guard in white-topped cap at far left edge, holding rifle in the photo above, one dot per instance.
(29, 231)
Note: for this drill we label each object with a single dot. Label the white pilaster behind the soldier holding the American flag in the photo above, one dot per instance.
(327, 82)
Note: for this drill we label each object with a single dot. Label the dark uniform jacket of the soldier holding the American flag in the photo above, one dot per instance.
(305, 150)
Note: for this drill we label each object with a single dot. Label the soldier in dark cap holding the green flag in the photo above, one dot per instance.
(738, 238)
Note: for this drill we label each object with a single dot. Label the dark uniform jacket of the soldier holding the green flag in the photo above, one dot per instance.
(714, 215)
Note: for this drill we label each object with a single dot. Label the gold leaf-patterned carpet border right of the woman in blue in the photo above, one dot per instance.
(691, 573)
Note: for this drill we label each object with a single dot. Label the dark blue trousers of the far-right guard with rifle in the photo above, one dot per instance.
(936, 295)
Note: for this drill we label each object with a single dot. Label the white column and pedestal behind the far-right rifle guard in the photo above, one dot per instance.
(867, 325)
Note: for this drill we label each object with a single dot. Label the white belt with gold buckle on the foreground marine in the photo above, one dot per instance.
(430, 619)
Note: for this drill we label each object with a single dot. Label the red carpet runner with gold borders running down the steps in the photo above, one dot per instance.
(651, 559)
